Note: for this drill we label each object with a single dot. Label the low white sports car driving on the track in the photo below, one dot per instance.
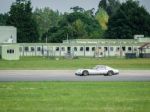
(99, 69)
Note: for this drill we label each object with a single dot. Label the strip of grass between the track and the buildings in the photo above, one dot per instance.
(45, 63)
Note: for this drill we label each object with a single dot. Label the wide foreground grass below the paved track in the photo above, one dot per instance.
(74, 96)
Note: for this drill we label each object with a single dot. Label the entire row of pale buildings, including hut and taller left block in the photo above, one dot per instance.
(11, 50)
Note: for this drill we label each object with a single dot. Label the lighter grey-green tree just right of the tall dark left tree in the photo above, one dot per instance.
(46, 18)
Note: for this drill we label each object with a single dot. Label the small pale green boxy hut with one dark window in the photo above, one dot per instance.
(10, 52)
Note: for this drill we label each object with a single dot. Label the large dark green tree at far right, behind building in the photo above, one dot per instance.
(130, 19)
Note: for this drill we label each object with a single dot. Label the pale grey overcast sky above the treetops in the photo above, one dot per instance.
(62, 5)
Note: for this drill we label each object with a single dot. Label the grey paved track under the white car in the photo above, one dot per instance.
(68, 75)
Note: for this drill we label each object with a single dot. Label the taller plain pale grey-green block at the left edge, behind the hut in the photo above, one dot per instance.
(8, 34)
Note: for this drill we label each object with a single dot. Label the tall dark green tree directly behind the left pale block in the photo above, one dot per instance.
(20, 16)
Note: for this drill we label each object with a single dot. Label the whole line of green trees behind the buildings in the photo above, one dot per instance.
(111, 20)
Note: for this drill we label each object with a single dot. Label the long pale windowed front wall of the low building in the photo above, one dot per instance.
(62, 50)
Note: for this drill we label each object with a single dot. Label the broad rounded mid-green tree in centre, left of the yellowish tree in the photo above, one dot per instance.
(78, 24)
